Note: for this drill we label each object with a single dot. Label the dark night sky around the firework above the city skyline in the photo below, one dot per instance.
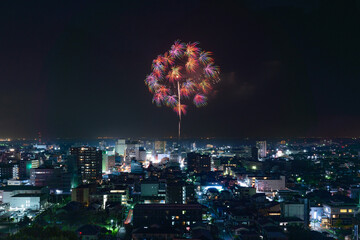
(77, 68)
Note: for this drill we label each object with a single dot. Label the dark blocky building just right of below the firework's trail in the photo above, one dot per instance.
(199, 163)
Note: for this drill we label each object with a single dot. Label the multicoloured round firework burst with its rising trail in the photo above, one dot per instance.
(184, 74)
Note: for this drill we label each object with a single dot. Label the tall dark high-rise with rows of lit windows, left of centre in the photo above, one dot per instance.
(89, 163)
